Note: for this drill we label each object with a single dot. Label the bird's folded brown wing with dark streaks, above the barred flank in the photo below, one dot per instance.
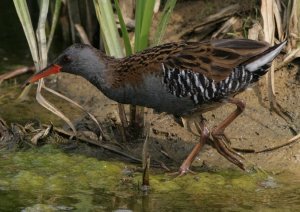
(215, 59)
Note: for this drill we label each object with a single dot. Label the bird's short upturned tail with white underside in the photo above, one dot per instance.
(260, 63)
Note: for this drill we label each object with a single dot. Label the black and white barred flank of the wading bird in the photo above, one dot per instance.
(201, 89)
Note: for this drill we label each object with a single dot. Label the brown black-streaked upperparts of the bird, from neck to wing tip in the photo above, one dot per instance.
(215, 59)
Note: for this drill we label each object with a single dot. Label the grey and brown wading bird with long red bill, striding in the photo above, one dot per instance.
(184, 78)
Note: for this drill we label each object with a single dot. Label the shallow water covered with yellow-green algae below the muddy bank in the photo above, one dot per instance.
(50, 180)
